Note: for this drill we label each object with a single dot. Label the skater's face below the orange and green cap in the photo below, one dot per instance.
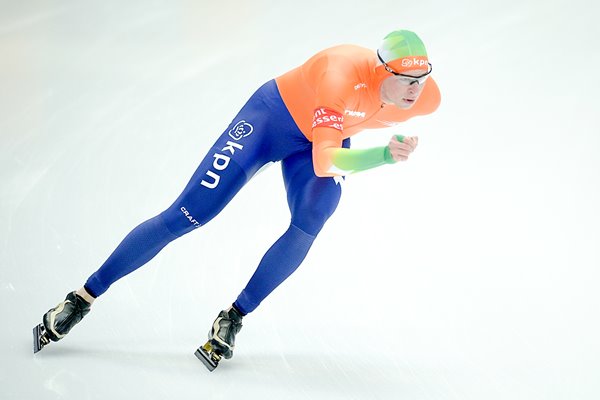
(403, 90)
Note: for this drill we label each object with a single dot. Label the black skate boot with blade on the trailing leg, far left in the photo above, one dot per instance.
(58, 321)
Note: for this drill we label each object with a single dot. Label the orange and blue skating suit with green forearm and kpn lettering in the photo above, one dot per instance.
(304, 119)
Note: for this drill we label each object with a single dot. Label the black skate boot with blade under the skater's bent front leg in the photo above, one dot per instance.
(221, 338)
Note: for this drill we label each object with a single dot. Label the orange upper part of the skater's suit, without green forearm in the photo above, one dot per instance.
(344, 80)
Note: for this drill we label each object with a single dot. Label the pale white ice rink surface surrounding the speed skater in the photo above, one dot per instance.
(469, 272)
